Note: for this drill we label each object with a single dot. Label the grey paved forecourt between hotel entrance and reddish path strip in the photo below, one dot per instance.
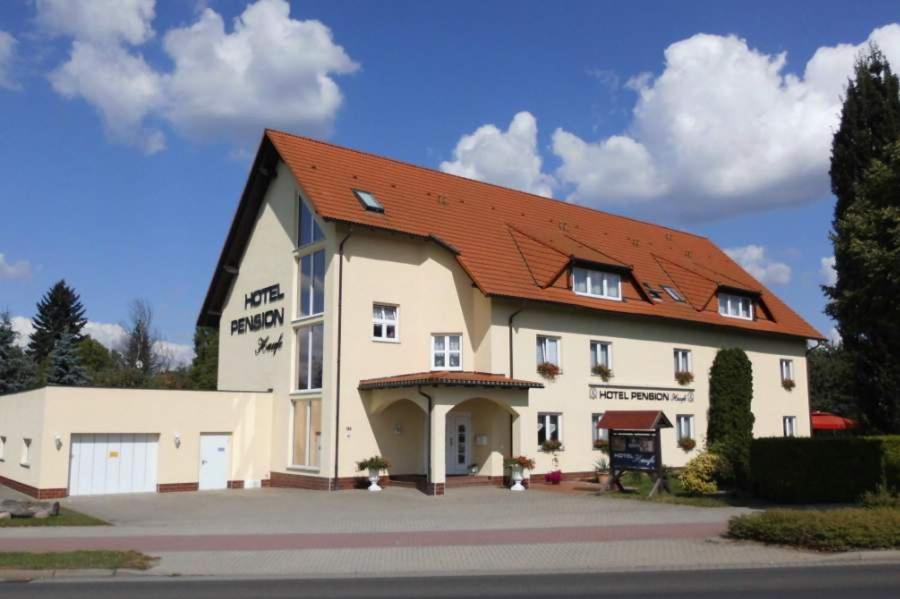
(394, 509)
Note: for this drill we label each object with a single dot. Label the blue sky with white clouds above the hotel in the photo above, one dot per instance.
(127, 133)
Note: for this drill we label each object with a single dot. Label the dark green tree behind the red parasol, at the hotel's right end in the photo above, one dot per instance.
(831, 380)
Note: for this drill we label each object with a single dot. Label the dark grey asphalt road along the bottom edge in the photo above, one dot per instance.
(819, 582)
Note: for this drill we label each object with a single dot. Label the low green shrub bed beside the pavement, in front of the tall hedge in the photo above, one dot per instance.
(825, 530)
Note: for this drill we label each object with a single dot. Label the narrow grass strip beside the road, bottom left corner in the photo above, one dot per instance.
(76, 560)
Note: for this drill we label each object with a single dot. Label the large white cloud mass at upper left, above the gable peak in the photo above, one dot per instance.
(269, 71)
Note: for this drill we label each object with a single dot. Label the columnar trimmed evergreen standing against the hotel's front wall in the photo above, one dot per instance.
(730, 422)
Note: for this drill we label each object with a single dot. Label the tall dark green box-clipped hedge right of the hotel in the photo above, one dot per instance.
(823, 470)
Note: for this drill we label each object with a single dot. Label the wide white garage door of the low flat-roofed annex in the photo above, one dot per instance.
(102, 464)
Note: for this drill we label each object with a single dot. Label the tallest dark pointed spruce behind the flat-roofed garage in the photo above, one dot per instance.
(59, 311)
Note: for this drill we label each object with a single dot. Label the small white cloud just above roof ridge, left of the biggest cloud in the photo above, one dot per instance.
(507, 158)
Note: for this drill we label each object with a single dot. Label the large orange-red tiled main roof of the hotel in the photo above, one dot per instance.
(514, 244)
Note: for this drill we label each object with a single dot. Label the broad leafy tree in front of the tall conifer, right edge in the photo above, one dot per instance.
(865, 300)
